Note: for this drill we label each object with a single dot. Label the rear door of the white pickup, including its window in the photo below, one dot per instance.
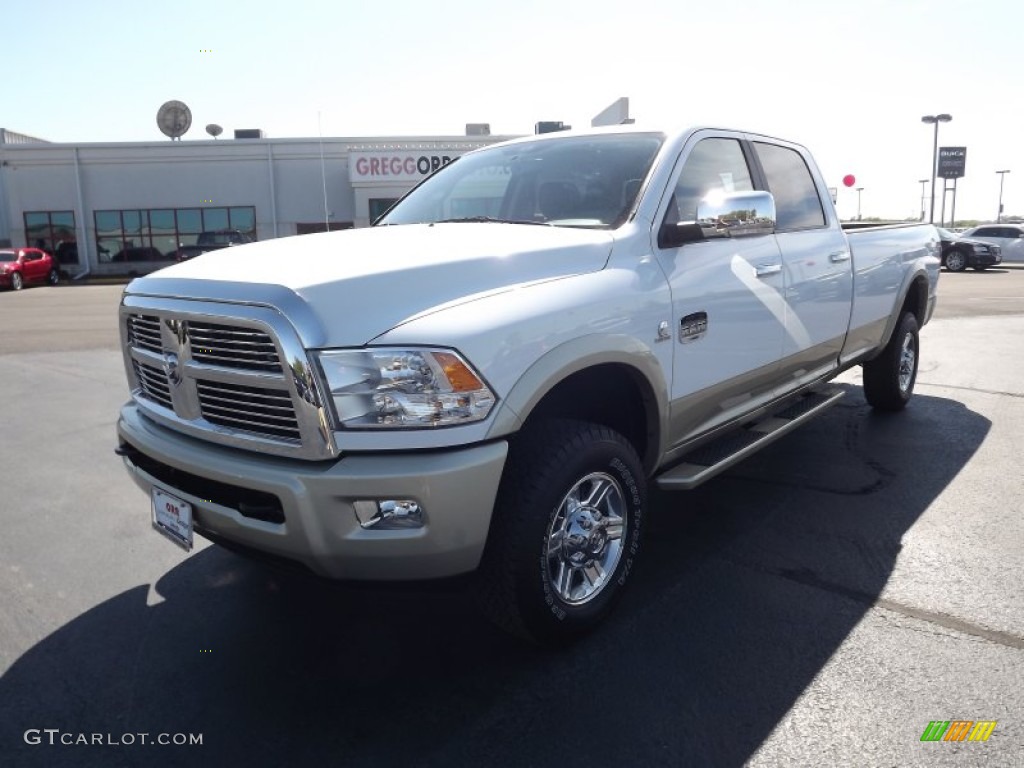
(818, 263)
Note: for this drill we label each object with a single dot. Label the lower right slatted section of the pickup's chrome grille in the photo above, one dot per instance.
(259, 410)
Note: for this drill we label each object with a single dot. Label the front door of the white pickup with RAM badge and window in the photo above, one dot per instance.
(729, 311)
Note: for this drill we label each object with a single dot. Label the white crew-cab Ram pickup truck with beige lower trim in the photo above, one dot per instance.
(488, 379)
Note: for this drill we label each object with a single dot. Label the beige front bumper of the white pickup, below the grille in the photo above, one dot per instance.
(234, 494)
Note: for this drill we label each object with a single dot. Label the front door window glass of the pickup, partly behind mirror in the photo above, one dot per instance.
(714, 165)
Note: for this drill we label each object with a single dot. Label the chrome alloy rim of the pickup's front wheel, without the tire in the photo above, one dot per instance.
(585, 539)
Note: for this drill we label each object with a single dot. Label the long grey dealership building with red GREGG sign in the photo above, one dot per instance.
(126, 208)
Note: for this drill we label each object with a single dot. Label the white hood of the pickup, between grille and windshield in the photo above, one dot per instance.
(359, 284)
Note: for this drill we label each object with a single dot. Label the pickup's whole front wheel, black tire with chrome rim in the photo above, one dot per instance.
(528, 584)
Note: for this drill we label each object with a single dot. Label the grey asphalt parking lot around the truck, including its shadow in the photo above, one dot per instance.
(821, 605)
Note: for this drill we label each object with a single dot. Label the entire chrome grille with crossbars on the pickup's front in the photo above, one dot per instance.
(233, 374)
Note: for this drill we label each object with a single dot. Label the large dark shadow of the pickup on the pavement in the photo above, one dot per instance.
(749, 586)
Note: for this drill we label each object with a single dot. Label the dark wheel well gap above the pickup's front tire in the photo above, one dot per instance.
(615, 396)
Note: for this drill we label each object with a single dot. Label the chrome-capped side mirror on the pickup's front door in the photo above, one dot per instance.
(723, 216)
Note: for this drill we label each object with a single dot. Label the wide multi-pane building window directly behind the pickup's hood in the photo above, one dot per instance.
(156, 235)
